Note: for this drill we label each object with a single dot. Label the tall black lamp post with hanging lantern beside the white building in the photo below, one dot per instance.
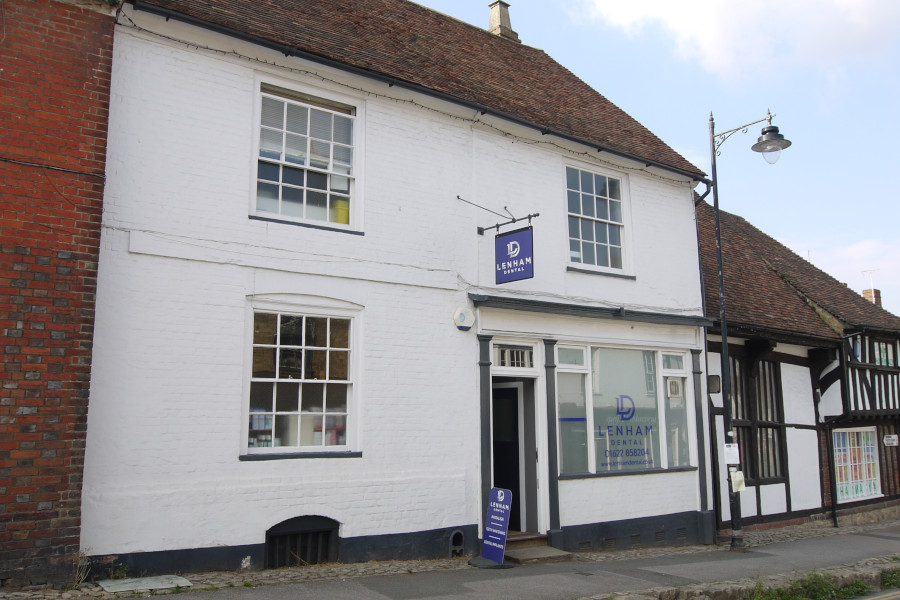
(770, 144)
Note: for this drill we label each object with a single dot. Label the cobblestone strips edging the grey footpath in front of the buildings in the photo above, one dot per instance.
(228, 579)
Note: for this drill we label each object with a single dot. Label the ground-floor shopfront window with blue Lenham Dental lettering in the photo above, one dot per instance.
(612, 419)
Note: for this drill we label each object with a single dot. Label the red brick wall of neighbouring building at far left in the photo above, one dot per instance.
(55, 61)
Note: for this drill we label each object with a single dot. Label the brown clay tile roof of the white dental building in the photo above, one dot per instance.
(409, 43)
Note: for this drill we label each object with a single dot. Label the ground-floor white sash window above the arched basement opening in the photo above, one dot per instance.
(301, 382)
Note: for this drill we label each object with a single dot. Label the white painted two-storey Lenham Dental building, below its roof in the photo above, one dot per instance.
(230, 300)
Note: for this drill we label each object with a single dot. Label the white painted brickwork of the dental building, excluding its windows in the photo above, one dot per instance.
(181, 264)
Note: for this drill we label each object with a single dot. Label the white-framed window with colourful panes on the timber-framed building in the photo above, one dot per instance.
(856, 471)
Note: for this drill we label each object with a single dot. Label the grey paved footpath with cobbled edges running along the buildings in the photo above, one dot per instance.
(773, 558)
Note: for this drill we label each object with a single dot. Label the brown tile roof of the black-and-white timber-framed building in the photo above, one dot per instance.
(769, 287)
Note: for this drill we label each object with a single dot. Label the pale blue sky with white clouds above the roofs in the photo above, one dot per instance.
(829, 70)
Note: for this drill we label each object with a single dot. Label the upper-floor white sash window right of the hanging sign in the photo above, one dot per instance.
(595, 217)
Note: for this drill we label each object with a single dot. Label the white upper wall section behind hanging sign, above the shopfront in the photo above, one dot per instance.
(659, 225)
